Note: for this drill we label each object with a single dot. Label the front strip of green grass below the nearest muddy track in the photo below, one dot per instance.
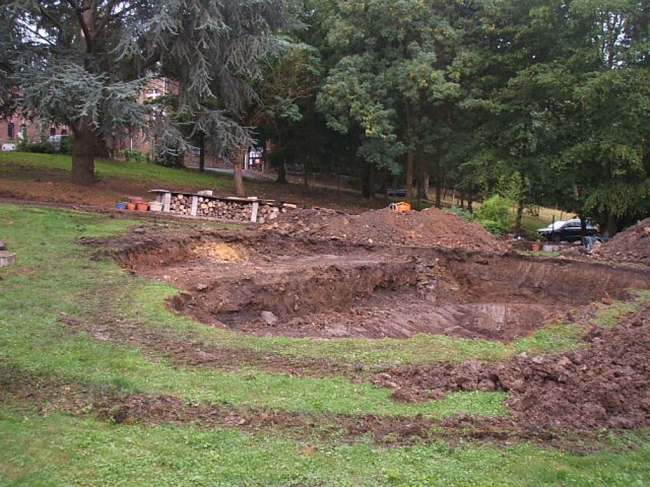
(61, 451)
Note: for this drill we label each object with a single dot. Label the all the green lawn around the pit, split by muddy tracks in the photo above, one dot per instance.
(55, 275)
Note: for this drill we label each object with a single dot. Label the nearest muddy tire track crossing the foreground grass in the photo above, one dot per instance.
(44, 395)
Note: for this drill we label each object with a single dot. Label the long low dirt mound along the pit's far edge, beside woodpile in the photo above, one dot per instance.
(427, 228)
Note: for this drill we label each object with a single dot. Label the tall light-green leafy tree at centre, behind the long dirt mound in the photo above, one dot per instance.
(389, 77)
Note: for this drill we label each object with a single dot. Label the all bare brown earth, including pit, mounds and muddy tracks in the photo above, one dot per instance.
(335, 274)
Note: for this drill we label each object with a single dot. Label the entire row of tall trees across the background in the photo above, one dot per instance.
(544, 101)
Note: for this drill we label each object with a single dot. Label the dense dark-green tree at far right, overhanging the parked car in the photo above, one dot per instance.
(564, 104)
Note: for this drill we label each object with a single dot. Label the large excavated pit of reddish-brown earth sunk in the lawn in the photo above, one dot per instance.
(266, 283)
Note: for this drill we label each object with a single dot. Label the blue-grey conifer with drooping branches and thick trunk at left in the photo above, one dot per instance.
(89, 60)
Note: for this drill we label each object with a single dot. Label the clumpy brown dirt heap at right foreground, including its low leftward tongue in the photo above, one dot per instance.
(605, 385)
